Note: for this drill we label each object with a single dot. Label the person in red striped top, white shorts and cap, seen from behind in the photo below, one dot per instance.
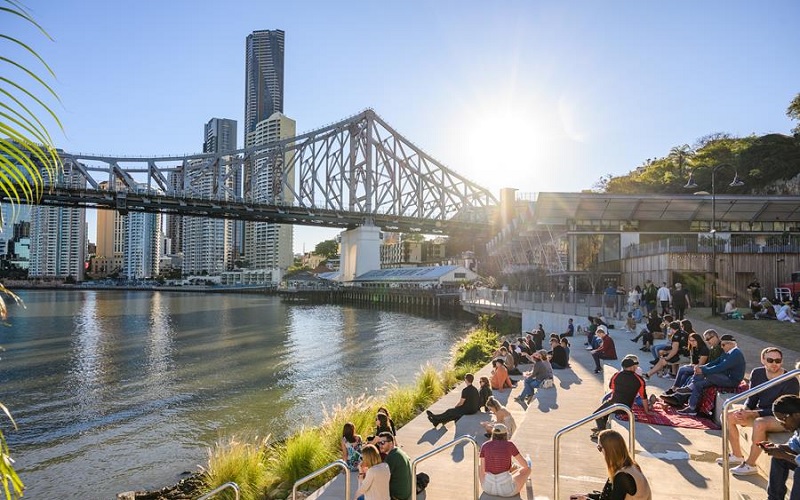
(498, 474)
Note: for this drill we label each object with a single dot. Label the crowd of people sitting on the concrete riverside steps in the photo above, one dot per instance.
(695, 362)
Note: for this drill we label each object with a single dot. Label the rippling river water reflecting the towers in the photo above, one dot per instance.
(123, 390)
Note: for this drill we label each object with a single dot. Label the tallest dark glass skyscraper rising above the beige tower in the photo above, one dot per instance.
(263, 77)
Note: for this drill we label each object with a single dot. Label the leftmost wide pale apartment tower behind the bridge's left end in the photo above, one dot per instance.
(58, 234)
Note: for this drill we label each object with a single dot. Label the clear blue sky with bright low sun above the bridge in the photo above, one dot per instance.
(535, 95)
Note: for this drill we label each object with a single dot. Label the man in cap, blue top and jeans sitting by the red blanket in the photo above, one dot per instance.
(725, 371)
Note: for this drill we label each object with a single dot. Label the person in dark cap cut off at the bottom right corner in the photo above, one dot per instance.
(786, 410)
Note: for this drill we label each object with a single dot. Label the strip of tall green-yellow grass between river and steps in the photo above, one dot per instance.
(266, 469)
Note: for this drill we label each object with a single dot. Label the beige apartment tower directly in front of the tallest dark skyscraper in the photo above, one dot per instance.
(269, 245)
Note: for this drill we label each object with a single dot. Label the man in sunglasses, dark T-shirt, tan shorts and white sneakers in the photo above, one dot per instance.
(757, 412)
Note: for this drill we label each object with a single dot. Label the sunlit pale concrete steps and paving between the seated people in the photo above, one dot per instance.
(679, 463)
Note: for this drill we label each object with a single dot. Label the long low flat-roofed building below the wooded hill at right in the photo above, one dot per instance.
(582, 239)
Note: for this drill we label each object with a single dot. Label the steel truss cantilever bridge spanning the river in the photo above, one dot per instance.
(346, 174)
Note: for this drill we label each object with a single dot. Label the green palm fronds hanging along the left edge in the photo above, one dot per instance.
(26, 150)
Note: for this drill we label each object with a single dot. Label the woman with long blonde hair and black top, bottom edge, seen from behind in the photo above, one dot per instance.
(625, 478)
